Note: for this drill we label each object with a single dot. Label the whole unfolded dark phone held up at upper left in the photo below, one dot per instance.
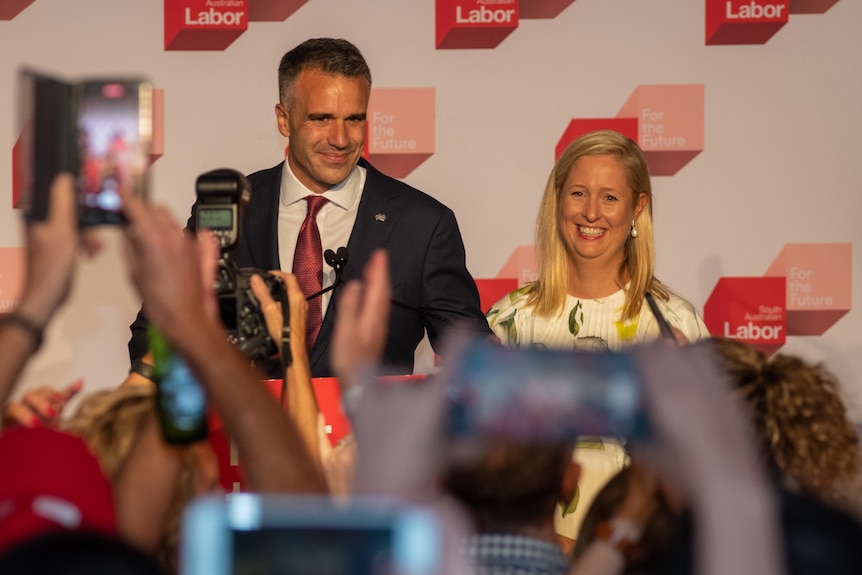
(99, 130)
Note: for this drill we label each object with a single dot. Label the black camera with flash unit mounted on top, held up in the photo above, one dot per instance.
(222, 196)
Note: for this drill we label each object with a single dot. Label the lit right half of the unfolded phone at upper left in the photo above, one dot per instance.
(114, 126)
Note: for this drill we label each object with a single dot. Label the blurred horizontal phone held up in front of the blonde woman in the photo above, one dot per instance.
(543, 395)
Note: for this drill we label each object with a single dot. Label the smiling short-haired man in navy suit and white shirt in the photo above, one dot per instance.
(324, 88)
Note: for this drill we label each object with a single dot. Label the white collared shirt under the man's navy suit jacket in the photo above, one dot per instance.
(334, 220)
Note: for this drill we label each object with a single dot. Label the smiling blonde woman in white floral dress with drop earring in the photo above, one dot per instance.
(596, 256)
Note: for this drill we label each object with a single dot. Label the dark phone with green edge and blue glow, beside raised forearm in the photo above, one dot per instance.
(180, 399)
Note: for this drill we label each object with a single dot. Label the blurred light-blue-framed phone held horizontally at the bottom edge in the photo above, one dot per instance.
(253, 534)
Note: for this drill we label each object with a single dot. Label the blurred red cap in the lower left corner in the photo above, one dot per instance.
(50, 481)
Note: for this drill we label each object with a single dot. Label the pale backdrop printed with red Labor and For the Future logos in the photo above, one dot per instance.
(749, 113)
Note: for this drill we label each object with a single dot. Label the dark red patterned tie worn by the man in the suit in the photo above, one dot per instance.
(308, 267)
